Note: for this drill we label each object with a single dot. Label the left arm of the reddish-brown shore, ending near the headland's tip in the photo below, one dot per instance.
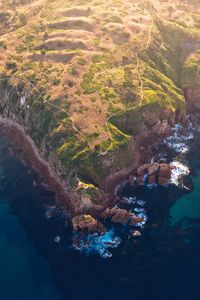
(22, 143)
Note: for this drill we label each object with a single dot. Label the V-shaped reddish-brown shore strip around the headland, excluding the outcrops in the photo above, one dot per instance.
(71, 201)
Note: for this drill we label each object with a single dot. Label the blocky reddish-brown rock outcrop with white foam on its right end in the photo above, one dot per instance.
(155, 173)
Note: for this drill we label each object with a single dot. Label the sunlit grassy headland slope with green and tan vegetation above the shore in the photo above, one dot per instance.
(95, 83)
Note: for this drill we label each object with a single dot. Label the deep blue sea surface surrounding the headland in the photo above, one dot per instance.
(38, 262)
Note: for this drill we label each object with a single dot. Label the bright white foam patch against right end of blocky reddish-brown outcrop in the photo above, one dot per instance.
(179, 170)
